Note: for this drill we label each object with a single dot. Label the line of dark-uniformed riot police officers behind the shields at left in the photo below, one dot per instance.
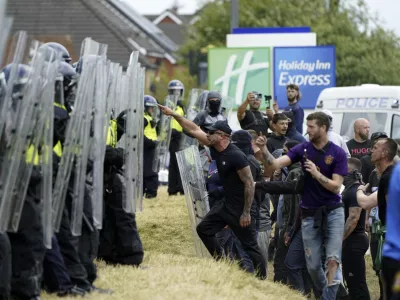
(26, 266)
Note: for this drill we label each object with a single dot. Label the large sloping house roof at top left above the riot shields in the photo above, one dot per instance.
(71, 23)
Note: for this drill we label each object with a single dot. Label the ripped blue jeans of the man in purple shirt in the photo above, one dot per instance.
(313, 240)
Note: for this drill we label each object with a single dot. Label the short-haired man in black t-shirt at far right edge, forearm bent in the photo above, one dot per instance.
(382, 155)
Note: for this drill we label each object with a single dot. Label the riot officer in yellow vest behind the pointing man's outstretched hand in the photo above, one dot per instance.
(175, 88)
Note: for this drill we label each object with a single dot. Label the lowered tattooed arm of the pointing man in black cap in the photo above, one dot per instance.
(248, 181)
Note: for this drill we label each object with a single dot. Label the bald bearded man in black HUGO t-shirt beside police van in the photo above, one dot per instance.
(361, 144)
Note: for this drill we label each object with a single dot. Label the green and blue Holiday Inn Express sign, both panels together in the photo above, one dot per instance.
(236, 71)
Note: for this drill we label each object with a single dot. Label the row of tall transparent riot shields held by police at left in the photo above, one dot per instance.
(27, 93)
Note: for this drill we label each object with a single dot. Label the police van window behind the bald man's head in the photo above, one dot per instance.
(377, 121)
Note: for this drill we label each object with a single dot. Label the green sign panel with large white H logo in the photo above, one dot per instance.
(236, 71)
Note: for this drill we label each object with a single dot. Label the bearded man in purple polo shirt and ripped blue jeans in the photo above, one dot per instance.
(322, 213)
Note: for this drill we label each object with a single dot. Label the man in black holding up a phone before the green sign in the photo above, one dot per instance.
(252, 118)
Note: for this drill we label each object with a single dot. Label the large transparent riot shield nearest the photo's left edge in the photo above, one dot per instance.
(22, 130)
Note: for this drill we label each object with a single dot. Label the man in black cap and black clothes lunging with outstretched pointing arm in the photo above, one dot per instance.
(237, 181)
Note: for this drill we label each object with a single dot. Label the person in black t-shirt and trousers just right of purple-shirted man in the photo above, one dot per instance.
(355, 241)
